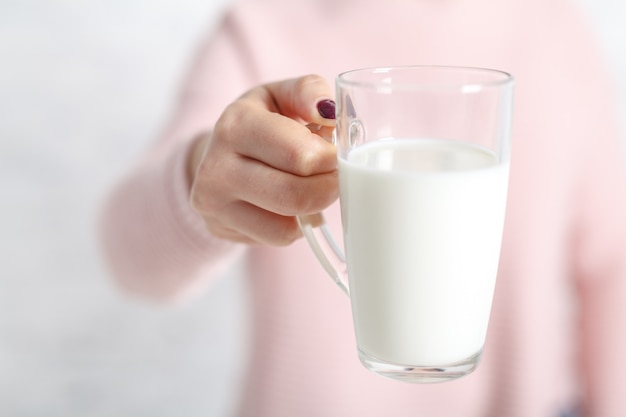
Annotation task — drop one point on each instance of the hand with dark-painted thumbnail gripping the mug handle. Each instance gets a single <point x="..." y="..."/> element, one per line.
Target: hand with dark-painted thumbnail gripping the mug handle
<point x="263" y="164"/>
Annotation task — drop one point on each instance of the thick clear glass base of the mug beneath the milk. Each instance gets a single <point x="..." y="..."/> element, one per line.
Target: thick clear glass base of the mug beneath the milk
<point x="421" y="374"/>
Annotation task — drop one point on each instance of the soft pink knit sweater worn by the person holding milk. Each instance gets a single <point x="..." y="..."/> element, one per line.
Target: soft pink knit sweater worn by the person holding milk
<point x="557" y="338"/>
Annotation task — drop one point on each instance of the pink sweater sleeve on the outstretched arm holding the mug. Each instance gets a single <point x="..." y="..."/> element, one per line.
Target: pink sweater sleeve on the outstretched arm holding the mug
<point x="155" y="244"/>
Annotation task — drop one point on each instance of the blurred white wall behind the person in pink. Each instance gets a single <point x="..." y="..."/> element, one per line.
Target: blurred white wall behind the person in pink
<point x="85" y="85"/>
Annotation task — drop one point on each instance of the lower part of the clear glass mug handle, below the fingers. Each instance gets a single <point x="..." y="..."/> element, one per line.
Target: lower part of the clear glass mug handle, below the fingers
<point x="328" y="253"/>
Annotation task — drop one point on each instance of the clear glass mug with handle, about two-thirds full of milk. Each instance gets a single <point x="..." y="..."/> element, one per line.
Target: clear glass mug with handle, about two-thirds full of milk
<point x="423" y="160"/>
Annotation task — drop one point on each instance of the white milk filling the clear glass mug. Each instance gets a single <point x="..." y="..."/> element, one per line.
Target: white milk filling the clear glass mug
<point x="422" y="225"/>
